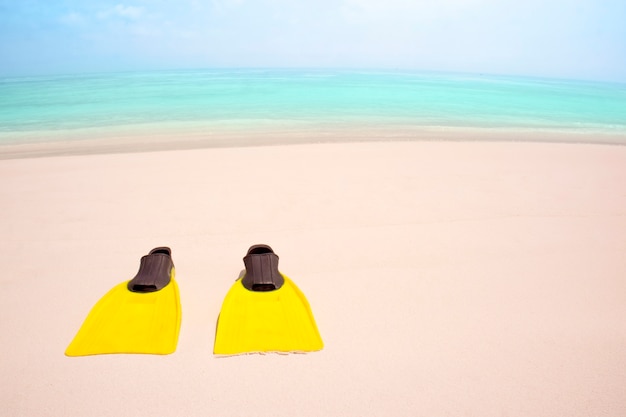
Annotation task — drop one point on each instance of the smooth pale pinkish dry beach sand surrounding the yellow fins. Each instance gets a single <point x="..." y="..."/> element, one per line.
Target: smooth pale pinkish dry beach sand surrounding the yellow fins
<point x="447" y="279"/>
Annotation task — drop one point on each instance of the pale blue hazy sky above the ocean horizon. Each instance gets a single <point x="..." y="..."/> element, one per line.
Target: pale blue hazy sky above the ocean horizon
<point x="554" y="38"/>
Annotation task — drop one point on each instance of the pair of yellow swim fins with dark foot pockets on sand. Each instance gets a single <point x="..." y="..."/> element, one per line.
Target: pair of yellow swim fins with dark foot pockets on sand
<point x="263" y="311"/>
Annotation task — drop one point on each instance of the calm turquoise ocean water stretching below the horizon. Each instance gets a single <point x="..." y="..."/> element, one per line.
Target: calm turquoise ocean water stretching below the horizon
<point x="79" y="107"/>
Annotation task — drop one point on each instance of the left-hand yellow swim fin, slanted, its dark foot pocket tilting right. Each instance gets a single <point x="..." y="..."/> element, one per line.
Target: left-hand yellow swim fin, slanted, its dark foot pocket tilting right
<point x="138" y="316"/>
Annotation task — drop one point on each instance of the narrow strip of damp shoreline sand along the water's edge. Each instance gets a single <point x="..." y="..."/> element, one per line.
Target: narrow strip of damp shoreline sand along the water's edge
<point x="134" y="141"/>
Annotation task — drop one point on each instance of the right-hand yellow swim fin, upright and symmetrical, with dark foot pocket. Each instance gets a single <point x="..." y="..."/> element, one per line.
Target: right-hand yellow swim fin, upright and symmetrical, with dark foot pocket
<point x="264" y="311"/>
